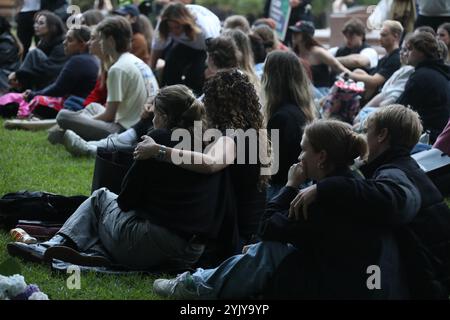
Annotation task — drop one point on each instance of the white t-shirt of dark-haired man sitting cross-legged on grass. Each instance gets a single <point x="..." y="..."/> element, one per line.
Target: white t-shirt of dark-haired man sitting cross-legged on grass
<point x="130" y="82"/>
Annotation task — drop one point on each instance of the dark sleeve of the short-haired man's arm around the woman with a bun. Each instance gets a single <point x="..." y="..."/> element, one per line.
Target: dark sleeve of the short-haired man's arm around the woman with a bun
<point x="390" y="198"/>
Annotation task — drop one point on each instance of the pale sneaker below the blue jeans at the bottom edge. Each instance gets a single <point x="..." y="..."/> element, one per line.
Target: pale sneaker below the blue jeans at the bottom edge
<point x="181" y="287"/>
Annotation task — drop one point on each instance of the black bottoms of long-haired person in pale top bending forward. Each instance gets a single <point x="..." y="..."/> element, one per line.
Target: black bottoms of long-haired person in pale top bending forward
<point x="185" y="65"/>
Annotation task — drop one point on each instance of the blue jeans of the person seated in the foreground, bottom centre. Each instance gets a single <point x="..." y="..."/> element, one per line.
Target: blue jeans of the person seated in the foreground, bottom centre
<point x="243" y="275"/>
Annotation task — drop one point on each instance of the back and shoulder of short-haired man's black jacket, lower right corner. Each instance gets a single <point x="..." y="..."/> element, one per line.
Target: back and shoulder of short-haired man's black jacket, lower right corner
<point x="425" y="242"/>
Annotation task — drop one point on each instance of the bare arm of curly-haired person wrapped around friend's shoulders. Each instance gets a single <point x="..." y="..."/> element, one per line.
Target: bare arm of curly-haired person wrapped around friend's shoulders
<point x="218" y="155"/>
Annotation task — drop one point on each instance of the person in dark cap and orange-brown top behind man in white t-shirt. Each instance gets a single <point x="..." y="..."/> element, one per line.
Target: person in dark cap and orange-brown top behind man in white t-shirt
<point x="139" y="44"/>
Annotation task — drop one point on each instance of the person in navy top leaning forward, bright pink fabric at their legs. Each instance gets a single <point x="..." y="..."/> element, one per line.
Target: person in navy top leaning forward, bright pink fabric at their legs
<point x="76" y="80"/>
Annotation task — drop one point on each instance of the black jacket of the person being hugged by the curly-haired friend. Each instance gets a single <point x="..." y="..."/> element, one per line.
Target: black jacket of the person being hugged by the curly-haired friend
<point x="183" y="201"/>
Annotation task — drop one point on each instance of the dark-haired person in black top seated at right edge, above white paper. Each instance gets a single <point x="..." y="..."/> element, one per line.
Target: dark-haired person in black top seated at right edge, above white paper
<point x="428" y="88"/>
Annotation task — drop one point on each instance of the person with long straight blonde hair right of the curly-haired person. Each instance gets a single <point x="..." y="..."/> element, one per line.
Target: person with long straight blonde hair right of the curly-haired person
<point x="289" y="106"/>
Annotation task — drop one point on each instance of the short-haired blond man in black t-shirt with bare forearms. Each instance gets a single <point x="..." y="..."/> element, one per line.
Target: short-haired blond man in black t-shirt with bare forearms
<point x="390" y="36"/>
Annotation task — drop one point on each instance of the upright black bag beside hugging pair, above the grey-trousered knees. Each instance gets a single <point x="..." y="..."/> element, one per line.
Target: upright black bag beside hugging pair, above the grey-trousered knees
<point x="111" y="166"/>
